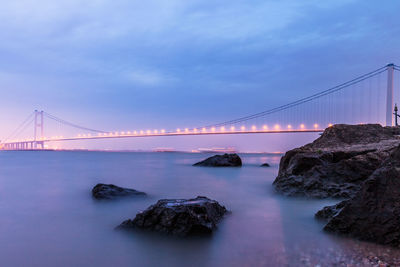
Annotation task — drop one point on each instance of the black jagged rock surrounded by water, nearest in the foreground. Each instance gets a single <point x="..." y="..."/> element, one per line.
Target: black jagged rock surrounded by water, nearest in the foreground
<point x="180" y="217"/>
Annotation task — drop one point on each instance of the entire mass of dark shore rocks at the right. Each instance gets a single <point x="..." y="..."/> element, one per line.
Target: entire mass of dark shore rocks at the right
<point x="360" y="163"/>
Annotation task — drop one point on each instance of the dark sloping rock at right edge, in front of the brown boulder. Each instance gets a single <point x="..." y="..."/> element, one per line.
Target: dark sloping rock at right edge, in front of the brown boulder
<point x="374" y="213"/>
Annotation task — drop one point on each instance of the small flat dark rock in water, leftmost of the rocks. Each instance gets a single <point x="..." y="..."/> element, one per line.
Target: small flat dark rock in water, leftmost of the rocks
<point x="110" y="191"/>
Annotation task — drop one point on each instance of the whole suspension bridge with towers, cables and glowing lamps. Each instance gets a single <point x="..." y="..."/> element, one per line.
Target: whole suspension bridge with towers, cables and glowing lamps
<point x="368" y="98"/>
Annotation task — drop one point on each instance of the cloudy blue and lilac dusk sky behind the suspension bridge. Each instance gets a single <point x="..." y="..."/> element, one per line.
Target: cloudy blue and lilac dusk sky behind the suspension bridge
<point x="127" y="64"/>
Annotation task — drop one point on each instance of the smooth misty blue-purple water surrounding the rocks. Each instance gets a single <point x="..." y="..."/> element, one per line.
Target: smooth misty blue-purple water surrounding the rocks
<point x="49" y="218"/>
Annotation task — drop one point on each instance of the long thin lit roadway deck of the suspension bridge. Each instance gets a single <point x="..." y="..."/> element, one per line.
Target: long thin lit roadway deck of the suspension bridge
<point x="30" y="144"/>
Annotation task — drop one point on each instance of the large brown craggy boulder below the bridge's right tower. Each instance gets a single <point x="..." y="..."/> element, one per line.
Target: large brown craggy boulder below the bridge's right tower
<point x="337" y="163"/>
